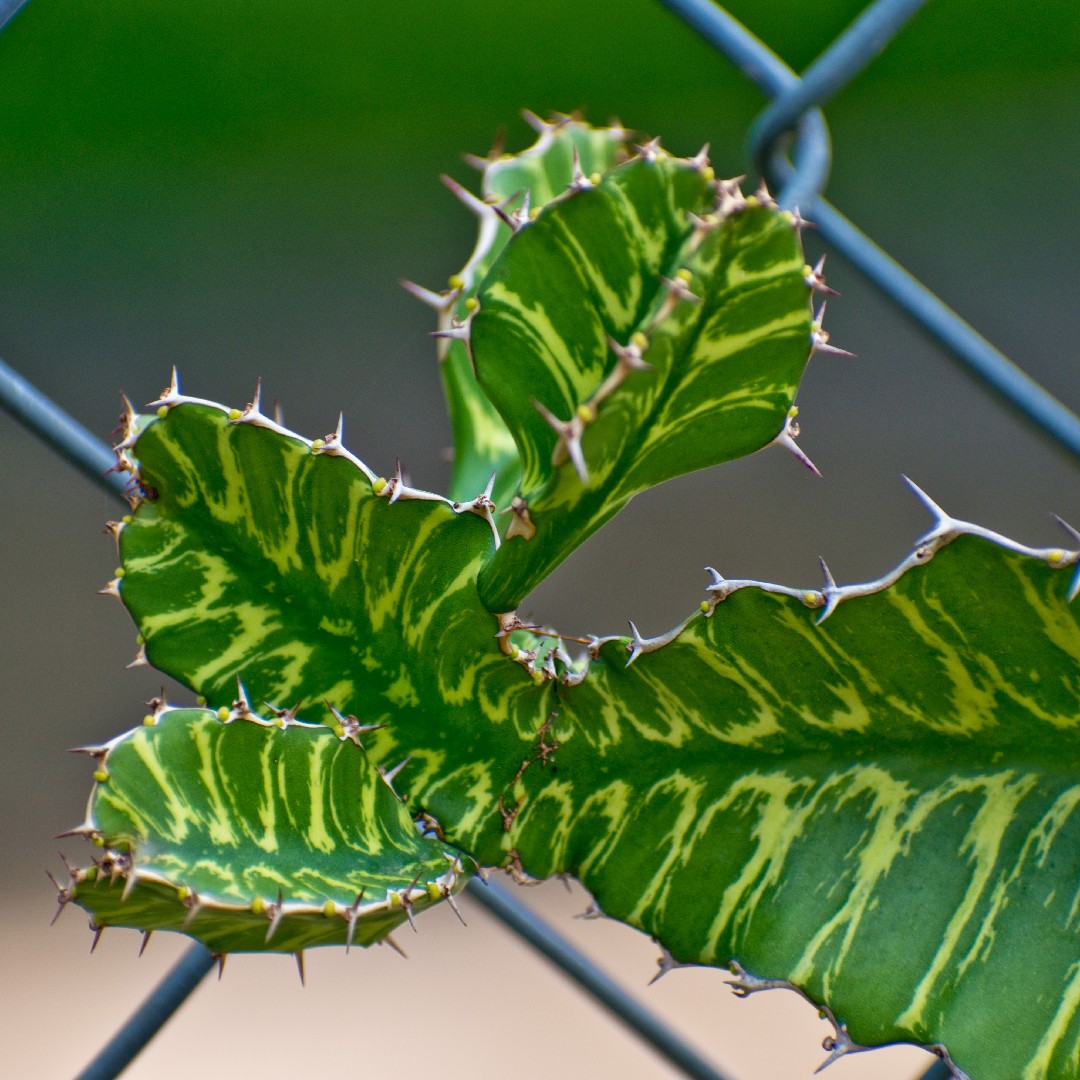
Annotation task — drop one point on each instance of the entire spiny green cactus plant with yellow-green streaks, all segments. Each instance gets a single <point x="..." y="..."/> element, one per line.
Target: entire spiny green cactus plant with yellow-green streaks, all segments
<point x="869" y="793"/>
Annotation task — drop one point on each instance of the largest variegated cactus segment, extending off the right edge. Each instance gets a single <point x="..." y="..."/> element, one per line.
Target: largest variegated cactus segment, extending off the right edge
<point x="883" y="809"/>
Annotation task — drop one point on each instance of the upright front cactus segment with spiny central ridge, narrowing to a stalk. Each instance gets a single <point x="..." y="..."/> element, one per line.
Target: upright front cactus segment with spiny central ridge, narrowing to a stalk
<point x="644" y="326"/>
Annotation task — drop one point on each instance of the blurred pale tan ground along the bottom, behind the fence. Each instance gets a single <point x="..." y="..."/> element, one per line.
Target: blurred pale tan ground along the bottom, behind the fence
<point x="467" y="1003"/>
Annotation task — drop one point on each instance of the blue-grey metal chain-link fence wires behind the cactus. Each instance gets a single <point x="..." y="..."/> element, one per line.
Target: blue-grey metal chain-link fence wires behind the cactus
<point x="792" y="123"/>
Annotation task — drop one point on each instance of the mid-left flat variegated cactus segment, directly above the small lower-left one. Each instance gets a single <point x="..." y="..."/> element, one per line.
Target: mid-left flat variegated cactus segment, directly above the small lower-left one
<point x="263" y="557"/>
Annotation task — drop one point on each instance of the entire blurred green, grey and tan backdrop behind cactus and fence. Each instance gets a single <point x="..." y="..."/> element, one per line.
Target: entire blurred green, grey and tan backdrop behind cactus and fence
<point x="237" y="190"/>
